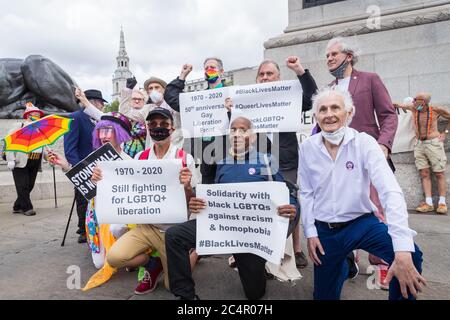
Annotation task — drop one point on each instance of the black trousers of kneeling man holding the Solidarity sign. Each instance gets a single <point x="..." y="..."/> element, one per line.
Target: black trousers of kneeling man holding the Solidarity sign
<point x="182" y="237"/>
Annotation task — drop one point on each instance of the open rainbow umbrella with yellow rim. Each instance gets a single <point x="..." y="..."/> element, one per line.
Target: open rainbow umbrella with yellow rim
<point x="38" y="134"/>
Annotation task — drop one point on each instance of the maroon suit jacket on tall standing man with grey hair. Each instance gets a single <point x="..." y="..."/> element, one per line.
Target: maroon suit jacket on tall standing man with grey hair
<point x="369" y="94"/>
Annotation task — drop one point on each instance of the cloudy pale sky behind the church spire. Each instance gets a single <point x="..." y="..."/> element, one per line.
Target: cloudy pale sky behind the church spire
<point x="82" y="36"/>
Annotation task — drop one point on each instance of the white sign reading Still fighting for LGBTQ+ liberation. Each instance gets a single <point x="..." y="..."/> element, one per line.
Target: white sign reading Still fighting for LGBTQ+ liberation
<point x="141" y="192"/>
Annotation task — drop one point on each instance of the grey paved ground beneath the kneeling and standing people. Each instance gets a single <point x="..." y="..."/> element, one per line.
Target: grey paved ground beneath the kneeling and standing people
<point x="33" y="265"/>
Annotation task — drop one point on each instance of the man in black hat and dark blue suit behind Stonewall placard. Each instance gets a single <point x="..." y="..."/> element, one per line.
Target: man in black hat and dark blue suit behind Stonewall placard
<point x="78" y="145"/>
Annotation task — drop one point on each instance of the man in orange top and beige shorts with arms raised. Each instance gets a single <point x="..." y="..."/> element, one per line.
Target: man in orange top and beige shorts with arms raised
<point x="429" y="150"/>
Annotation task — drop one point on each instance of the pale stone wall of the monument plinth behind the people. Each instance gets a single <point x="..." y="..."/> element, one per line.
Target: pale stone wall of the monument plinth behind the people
<point x="409" y="50"/>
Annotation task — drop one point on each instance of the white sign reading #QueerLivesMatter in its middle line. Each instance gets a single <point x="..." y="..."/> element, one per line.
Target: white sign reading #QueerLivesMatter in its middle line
<point x="272" y="106"/>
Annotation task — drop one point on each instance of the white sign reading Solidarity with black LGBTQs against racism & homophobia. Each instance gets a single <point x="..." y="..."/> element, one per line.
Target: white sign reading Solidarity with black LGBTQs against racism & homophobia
<point x="240" y="218"/>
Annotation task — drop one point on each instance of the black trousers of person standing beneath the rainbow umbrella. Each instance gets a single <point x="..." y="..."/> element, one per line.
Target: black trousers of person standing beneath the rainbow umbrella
<point x="24" y="179"/>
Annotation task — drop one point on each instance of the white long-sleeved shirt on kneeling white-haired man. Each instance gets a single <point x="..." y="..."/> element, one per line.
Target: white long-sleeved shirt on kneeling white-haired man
<point x="339" y="191"/>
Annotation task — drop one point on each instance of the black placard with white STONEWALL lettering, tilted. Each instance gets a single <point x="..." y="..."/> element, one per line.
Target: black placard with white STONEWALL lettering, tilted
<point x="81" y="174"/>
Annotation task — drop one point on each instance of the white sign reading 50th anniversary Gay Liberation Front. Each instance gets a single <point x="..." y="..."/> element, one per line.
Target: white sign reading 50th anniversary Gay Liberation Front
<point x="203" y="113"/>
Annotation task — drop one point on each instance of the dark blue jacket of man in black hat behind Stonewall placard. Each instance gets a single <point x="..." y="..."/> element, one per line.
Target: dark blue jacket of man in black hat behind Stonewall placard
<point x="78" y="141"/>
